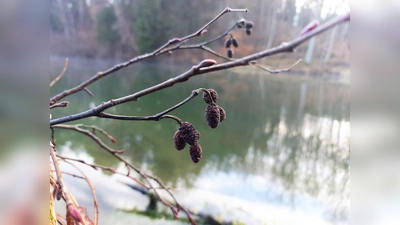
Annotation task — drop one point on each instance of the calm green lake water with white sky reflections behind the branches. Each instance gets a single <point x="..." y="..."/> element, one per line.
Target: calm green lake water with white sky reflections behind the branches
<point x="281" y="156"/>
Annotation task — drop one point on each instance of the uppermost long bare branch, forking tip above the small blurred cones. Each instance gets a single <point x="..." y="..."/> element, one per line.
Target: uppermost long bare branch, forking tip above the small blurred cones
<point x="117" y="67"/>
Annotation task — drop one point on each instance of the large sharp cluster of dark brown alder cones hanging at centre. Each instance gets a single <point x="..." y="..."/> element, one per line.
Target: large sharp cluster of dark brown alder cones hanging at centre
<point x="187" y="133"/>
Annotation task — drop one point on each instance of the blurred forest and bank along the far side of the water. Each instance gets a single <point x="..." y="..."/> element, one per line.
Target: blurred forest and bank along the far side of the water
<point x="122" y="29"/>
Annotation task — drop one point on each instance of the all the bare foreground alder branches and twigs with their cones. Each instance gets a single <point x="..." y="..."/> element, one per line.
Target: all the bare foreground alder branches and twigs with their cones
<point x="186" y="134"/>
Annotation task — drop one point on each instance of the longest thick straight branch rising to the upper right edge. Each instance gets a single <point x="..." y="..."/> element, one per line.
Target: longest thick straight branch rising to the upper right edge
<point x="195" y="70"/>
